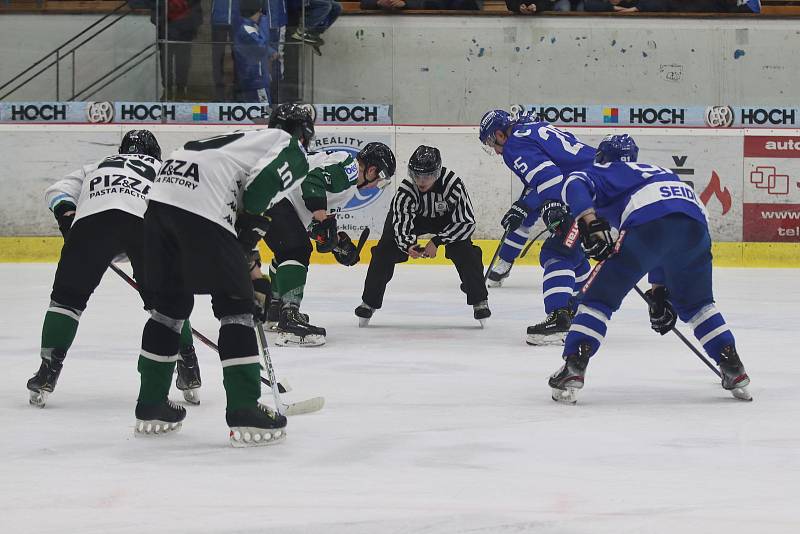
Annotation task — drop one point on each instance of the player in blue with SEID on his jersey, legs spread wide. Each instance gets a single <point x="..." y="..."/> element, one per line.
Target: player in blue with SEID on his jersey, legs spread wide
<point x="663" y="232"/>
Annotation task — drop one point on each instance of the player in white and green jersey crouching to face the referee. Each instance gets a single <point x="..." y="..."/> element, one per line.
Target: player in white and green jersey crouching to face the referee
<point x="332" y="182"/>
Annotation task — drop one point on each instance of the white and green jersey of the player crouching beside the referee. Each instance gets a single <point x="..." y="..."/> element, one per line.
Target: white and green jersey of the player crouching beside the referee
<point x="337" y="173"/>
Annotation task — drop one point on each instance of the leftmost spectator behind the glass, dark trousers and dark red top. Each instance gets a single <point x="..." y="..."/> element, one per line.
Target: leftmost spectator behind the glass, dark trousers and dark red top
<point x="175" y="20"/>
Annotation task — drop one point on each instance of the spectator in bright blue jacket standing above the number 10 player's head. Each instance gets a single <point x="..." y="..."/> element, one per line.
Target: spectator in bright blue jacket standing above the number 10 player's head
<point x="252" y="53"/>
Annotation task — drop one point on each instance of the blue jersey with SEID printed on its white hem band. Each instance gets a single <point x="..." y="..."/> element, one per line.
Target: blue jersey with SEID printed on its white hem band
<point x="630" y="194"/>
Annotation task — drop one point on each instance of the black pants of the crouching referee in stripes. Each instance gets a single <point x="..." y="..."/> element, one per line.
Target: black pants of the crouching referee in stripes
<point x="465" y="255"/>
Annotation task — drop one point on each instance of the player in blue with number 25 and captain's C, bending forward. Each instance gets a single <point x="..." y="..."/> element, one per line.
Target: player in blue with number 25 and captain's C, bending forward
<point x="541" y="156"/>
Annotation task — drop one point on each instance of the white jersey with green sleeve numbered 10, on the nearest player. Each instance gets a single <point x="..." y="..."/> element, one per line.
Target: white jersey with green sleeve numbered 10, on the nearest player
<point x="222" y="175"/>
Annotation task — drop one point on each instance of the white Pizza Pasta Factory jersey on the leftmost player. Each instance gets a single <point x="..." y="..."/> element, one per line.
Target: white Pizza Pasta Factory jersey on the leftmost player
<point x="118" y="182"/>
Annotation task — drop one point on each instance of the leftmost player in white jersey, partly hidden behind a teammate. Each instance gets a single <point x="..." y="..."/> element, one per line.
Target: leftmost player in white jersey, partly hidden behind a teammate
<point x="99" y="210"/>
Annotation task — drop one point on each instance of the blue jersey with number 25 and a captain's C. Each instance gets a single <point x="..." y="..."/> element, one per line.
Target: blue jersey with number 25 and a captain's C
<point x="541" y="156"/>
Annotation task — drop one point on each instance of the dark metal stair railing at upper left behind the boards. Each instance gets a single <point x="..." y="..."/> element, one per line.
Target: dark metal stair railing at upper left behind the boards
<point x="55" y="57"/>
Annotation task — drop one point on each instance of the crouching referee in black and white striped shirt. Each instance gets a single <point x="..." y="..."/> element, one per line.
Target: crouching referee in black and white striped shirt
<point x="432" y="200"/>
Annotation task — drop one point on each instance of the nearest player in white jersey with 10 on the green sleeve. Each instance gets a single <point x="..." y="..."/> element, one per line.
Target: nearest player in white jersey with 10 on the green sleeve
<point x="200" y="226"/>
